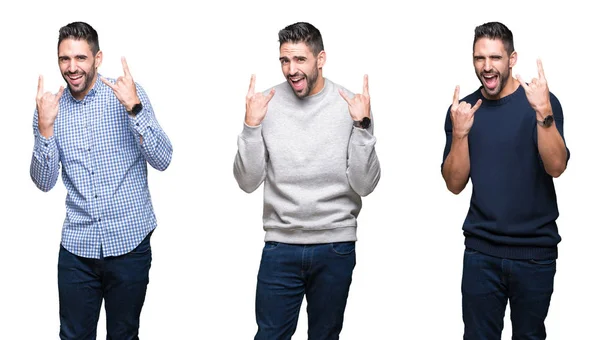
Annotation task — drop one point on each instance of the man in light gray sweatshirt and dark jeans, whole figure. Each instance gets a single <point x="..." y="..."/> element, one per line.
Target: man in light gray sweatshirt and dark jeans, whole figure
<point x="311" y="142"/>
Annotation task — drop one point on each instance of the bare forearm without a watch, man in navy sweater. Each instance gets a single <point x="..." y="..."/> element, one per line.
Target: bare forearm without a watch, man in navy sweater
<point x="457" y="165"/>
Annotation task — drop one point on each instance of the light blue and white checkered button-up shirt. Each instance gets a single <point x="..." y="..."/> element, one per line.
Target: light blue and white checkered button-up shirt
<point x="109" y="209"/>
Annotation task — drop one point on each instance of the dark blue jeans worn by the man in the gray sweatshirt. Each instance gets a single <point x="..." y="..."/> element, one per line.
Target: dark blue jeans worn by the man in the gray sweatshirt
<point x="287" y="272"/>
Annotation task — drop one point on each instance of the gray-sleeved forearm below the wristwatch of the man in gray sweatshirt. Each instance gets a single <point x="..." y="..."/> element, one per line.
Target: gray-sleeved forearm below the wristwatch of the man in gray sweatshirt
<point x="363" y="165"/>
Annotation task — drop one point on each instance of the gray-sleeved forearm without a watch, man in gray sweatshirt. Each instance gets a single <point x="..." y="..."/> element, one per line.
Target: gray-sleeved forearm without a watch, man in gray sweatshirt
<point x="250" y="165"/>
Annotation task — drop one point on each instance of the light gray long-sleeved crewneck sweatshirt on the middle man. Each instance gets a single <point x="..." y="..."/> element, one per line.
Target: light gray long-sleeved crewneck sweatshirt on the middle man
<point x="314" y="163"/>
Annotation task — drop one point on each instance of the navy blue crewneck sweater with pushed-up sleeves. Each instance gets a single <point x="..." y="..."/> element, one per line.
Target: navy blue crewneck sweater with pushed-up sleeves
<point x="513" y="208"/>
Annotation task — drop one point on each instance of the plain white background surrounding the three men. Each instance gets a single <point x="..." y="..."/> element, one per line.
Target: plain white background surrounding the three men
<point x="195" y="63"/>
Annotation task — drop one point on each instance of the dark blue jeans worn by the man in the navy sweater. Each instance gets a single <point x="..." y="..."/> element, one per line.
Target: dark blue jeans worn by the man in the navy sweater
<point x="489" y="282"/>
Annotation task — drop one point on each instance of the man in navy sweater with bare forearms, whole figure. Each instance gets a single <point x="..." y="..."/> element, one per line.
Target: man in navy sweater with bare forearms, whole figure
<point x="507" y="137"/>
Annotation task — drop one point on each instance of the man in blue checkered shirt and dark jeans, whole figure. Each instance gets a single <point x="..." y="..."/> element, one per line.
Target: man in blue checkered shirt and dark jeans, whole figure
<point x="104" y="133"/>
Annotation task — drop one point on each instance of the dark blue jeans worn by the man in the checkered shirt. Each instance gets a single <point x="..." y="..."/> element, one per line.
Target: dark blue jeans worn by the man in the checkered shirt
<point x="121" y="281"/>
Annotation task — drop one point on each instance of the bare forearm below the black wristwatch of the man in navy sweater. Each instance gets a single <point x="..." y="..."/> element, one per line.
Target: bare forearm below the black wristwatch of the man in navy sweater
<point x="552" y="149"/>
